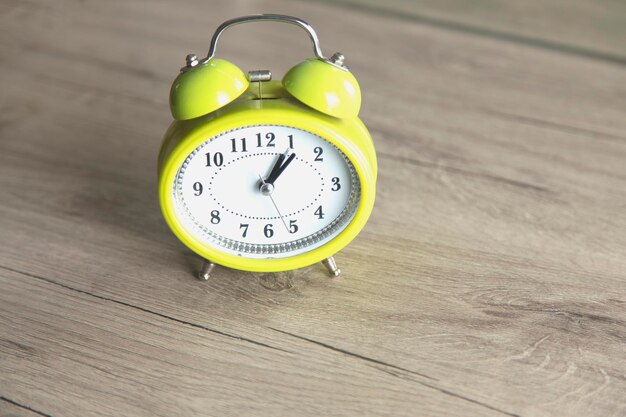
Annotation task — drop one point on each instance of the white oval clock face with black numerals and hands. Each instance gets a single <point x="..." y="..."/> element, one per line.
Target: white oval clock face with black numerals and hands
<point x="266" y="191"/>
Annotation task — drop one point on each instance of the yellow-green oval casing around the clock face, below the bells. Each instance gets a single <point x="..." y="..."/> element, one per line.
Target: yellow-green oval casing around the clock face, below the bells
<point x="276" y="108"/>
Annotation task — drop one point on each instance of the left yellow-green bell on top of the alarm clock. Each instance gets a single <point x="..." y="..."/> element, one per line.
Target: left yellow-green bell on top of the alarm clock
<point x="205" y="86"/>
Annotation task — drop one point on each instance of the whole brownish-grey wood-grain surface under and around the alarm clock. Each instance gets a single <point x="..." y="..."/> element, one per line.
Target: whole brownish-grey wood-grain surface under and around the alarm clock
<point x="490" y="280"/>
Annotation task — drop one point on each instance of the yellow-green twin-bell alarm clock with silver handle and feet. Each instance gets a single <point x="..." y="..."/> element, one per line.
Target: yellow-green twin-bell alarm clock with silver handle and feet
<point x="263" y="175"/>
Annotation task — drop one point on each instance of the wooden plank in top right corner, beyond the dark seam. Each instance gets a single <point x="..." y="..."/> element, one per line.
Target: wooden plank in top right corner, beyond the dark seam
<point x="589" y="28"/>
